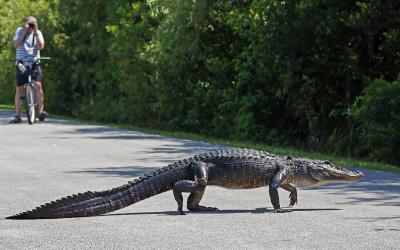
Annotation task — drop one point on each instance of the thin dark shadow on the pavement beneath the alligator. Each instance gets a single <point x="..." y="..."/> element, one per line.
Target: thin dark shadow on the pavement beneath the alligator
<point x="226" y="211"/>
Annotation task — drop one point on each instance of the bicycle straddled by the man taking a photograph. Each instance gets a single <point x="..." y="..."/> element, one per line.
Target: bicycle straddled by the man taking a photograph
<point x="29" y="90"/>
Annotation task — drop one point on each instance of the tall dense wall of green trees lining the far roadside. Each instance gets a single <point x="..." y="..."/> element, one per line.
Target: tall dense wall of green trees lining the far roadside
<point x="279" y="72"/>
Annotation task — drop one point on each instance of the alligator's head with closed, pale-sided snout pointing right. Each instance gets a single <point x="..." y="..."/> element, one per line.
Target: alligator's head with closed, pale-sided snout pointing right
<point x="307" y="173"/>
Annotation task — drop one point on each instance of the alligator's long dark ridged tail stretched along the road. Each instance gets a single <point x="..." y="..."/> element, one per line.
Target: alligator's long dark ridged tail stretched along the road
<point x="96" y="203"/>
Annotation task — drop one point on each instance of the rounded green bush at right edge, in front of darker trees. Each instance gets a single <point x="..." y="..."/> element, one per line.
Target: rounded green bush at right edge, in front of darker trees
<point x="378" y="113"/>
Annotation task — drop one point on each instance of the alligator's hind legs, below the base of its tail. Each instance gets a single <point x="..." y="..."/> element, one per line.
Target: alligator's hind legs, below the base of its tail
<point x="196" y="189"/>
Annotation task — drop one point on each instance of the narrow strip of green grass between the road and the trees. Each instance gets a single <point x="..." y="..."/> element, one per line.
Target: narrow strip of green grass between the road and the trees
<point x="241" y="144"/>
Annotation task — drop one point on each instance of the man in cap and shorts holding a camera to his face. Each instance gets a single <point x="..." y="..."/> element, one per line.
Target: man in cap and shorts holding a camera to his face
<point x="28" y="41"/>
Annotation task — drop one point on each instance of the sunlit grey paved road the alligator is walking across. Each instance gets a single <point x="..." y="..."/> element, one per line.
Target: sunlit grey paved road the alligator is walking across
<point x="50" y="160"/>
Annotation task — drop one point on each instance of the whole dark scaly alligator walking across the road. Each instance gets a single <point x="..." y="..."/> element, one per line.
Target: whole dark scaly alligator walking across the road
<point x="230" y="168"/>
